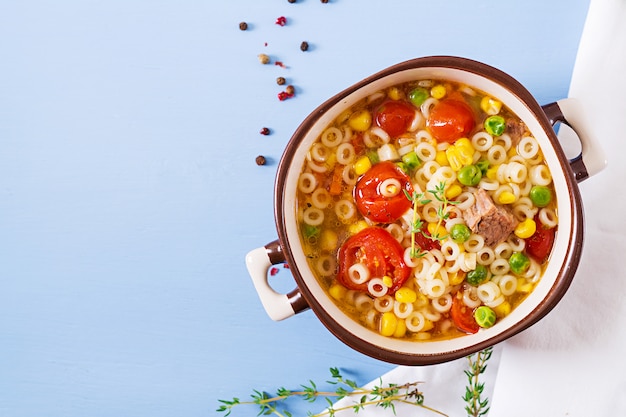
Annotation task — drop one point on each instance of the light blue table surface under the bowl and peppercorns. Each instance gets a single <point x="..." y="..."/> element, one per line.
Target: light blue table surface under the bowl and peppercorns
<point x="129" y="192"/>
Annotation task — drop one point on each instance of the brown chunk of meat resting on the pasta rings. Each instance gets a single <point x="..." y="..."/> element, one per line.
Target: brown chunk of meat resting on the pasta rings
<point x="493" y="222"/>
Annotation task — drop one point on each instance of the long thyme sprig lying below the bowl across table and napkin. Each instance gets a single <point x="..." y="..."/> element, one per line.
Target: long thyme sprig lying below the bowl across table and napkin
<point x="378" y="396"/>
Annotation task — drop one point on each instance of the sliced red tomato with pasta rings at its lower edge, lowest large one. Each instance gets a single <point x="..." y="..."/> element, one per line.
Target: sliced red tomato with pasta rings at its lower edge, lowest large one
<point x="380" y="252"/>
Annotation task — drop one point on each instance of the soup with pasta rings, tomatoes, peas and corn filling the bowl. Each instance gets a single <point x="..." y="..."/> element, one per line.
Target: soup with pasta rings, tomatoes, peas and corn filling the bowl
<point x="426" y="210"/>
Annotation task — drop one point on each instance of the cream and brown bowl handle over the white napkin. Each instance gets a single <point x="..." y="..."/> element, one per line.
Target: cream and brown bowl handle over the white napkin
<point x="592" y="159"/>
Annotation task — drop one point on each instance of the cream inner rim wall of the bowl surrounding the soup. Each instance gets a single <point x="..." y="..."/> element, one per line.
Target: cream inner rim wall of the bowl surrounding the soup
<point x="562" y="195"/>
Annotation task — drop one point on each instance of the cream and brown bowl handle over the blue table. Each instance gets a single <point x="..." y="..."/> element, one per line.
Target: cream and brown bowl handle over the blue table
<point x="277" y="306"/>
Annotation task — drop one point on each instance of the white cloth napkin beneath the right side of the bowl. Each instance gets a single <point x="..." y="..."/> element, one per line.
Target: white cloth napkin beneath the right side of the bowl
<point x="573" y="362"/>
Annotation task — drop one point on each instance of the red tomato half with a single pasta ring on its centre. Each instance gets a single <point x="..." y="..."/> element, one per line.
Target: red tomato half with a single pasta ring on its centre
<point x="376" y="206"/>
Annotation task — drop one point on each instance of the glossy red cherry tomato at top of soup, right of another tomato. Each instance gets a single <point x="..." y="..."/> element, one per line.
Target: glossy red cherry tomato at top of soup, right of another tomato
<point x="450" y="120"/>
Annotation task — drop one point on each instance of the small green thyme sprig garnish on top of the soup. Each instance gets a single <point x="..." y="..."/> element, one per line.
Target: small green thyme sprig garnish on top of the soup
<point x="417" y="224"/>
